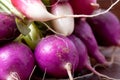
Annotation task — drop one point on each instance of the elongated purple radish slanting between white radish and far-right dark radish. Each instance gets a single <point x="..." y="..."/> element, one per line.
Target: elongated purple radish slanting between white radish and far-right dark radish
<point x="84" y="32"/>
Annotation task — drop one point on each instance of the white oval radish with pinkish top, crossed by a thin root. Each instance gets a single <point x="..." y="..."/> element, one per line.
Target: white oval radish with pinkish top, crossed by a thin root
<point x="64" y="26"/>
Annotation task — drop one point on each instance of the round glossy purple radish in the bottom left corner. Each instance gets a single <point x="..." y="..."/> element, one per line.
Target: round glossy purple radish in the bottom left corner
<point x="16" y="58"/>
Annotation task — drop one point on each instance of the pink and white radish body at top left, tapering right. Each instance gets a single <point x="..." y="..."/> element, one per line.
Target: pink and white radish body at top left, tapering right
<point x="33" y="9"/>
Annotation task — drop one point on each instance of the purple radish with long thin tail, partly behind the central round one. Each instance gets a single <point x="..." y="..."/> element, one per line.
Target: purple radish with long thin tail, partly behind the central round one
<point x="83" y="56"/>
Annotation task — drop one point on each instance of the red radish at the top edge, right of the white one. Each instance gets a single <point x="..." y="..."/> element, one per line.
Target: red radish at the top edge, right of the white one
<point x="83" y="6"/>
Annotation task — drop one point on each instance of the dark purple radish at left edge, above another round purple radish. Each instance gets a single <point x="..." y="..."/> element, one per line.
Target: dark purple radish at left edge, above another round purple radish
<point x="8" y="28"/>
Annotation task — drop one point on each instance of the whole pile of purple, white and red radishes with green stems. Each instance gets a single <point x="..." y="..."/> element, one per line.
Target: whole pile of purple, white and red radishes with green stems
<point x="58" y="39"/>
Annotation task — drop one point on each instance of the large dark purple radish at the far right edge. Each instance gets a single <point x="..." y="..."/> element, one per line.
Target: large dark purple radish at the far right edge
<point x="106" y="29"/>
